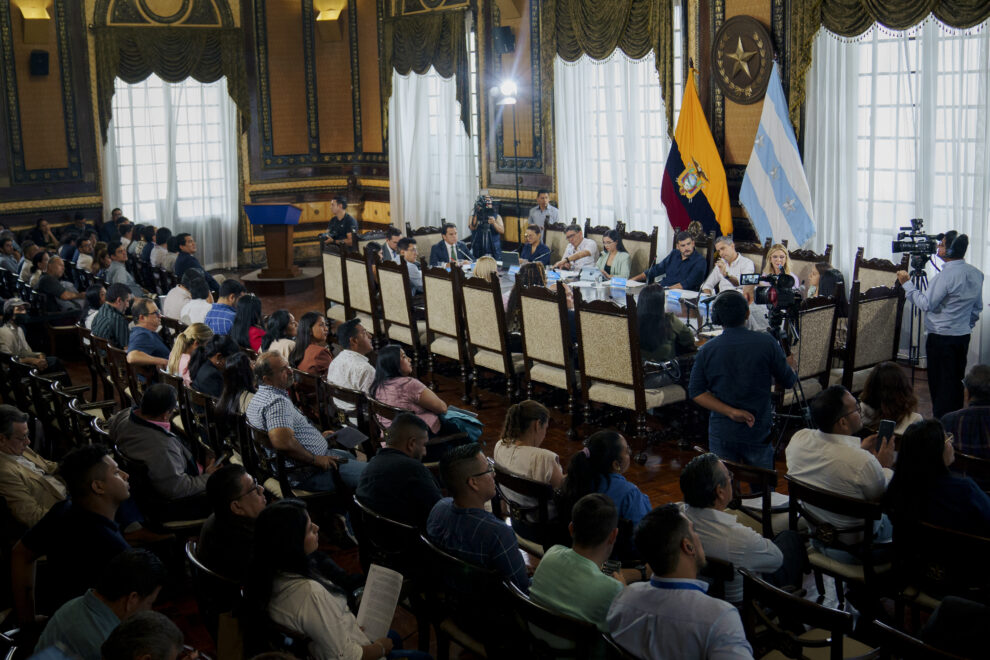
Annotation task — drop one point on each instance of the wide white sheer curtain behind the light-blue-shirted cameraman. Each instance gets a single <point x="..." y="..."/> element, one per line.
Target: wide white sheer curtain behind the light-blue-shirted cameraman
<point x="898" y="127"/>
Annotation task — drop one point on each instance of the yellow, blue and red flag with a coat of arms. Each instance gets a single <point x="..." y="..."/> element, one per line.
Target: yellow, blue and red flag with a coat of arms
<point x="694" y="186"/>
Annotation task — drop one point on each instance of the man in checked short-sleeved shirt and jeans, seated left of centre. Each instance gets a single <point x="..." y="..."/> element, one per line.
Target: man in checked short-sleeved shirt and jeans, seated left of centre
<point x="308" y="456"/>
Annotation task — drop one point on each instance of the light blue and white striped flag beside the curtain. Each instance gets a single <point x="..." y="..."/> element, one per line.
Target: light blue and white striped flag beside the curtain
<point x="775" y="189"/>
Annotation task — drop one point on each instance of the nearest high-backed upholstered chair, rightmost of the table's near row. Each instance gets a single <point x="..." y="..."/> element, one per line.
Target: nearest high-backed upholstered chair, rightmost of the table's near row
<point x="611" y="366"/>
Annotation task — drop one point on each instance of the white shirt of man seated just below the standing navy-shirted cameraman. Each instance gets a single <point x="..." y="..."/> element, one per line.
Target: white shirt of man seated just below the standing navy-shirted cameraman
<point x="724" y="537"/>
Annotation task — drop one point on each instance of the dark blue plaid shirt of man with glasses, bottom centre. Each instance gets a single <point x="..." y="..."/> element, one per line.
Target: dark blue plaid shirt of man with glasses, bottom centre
<point x="479" y="538"/>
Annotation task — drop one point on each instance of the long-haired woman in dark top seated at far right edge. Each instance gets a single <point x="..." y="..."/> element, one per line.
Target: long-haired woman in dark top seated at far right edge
<point x="923" y="490"/>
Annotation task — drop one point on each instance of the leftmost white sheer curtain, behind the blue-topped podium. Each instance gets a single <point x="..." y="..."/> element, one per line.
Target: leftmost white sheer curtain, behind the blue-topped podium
<point x="171" y="160"/>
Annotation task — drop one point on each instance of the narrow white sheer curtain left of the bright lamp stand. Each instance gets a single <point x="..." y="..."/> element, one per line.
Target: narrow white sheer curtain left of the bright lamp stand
<point x="432" y="169"/>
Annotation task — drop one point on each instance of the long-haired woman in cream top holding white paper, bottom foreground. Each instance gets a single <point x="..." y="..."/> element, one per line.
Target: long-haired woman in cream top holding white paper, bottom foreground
<point x="284" y="588"/>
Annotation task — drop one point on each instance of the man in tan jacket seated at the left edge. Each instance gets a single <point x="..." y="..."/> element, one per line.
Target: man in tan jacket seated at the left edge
<point x="27" y="481"/>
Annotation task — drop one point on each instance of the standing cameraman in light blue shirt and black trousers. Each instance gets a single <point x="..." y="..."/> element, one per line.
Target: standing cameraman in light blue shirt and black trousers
<point x="952" y="304"/>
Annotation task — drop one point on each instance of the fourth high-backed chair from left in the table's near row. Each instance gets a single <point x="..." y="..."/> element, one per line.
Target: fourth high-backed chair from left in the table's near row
<point x="445" y="334"/>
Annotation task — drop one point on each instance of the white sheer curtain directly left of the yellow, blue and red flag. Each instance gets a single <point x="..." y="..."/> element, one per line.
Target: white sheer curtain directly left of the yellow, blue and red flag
<point x="611" y="141"/>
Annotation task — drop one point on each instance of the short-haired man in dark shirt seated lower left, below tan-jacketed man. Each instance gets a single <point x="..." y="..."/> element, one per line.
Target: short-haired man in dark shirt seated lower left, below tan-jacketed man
<point x="97" y="487"/>
